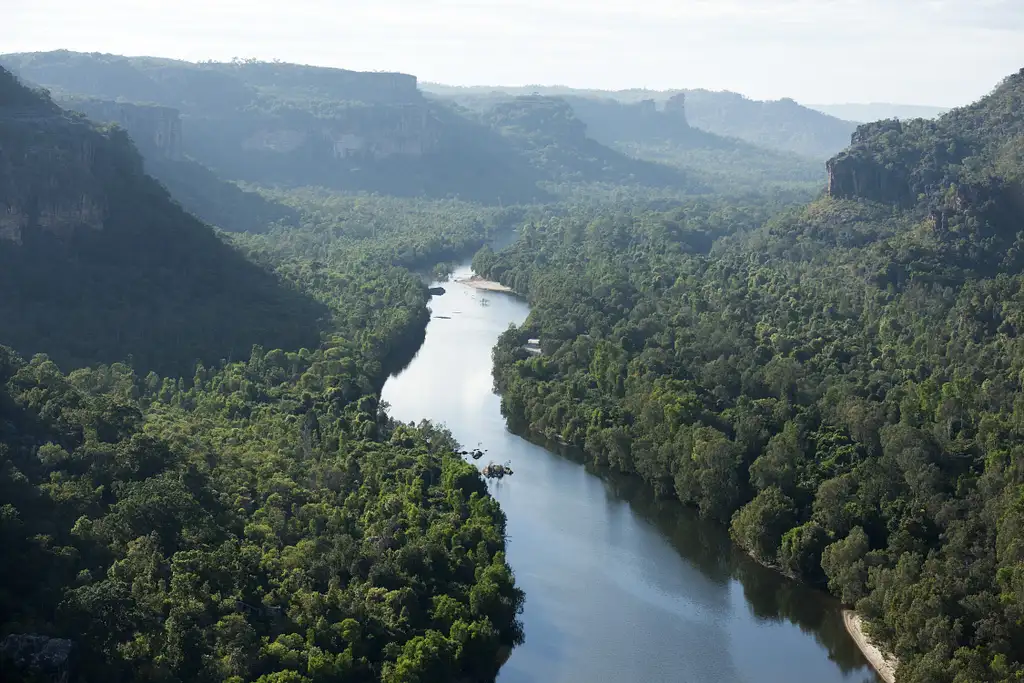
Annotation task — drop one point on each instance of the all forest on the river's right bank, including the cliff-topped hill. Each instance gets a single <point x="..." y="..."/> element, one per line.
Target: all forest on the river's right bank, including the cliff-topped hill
<point x="842" y="383"/>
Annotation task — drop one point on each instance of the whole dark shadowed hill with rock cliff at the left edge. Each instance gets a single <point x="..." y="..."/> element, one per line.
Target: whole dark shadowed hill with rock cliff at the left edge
<point x="99" y="265"/>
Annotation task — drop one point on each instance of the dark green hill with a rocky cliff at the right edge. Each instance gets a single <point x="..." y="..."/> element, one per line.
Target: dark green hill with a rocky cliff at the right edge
<point x="963" y="176"/>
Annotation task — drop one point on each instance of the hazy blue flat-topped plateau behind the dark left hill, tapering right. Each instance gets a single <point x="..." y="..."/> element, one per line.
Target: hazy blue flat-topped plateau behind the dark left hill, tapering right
<point x="289" y="125"/>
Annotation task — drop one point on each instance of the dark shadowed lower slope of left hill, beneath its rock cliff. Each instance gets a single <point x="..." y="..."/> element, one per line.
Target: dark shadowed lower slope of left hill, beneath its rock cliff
<point x="155" y="287"/>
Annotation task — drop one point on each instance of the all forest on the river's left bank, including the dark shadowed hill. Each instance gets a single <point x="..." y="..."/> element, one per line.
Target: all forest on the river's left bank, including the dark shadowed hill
<point x="259" y="519"/>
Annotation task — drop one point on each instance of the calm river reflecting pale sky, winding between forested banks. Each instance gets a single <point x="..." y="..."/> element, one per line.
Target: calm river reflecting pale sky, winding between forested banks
<point x="620" y="588"/>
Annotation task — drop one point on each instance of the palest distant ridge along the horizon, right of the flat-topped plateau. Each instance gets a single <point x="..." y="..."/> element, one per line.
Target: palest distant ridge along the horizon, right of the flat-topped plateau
<point x="783" y="125"/>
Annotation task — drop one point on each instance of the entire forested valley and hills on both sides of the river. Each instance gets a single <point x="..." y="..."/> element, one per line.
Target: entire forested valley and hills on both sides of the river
<point x="198" y="479"/>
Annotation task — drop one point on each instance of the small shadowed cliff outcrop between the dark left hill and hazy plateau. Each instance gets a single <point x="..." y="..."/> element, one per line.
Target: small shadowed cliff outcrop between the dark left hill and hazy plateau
<point x="156" y="131"/>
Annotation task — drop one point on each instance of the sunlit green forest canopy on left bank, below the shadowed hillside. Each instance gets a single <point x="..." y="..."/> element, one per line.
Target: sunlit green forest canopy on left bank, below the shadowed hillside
<point x="254" y="525"/>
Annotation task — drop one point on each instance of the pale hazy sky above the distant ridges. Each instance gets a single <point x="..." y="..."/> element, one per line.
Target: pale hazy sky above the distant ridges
<point x="944" y="53"/>
